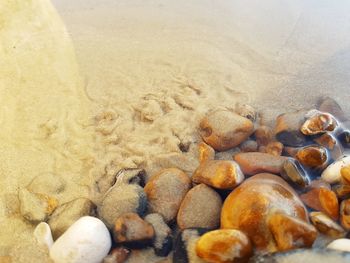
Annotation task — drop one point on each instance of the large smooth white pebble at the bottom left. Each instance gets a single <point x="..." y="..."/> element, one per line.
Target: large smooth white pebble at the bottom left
<point x="86" y="241"/>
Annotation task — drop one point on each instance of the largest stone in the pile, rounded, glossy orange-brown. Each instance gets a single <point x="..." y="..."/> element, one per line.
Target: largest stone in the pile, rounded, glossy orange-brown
<point x="263" y="195"/>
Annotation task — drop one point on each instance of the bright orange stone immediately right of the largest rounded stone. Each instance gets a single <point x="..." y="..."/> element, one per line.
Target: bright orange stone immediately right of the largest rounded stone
<point x="322" y="199"/>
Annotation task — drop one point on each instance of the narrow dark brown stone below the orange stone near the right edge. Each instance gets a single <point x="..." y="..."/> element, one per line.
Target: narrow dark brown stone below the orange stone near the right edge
<point x="326" y="225"/>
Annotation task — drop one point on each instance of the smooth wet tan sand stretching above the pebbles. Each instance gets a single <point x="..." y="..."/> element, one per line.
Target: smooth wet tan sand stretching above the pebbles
<point x="149" y="70"/>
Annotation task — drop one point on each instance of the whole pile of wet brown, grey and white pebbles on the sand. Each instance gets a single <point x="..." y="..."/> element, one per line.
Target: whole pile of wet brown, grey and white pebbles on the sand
<point x="285" y="188"/>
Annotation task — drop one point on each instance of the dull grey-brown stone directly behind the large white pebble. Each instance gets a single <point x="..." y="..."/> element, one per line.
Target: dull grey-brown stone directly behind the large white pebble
<point x="66" y="214"/>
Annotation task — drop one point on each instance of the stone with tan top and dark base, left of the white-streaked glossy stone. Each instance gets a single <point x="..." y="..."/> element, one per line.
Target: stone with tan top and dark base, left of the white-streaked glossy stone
<point x="287" y="129"/>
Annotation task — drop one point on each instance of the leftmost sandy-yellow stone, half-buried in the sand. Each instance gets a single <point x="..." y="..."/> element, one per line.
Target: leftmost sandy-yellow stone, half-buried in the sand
<point x="36" y="207"/>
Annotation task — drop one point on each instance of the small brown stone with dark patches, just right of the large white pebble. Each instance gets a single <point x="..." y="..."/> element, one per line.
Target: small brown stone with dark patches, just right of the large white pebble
<point x="132" y="229"/>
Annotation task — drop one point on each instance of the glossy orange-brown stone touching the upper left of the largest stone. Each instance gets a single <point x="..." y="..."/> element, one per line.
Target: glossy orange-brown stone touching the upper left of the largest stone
<point x="221" y="174"/>
